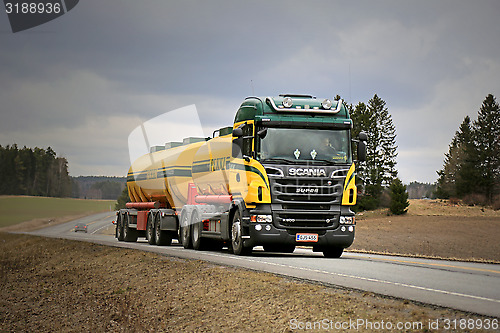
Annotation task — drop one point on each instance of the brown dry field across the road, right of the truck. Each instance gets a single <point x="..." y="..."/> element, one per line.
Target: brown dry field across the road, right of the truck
<point x="432" y="229"/>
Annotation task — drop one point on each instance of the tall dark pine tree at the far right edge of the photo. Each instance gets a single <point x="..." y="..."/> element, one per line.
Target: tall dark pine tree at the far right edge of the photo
<point x="487" y="135"/>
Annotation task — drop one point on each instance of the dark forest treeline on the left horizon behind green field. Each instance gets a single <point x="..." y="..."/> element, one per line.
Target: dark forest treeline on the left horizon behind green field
<point x="40" y="172"/>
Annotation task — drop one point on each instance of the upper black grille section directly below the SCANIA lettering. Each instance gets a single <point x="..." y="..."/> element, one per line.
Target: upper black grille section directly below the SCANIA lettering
<point x="316" y="191"/>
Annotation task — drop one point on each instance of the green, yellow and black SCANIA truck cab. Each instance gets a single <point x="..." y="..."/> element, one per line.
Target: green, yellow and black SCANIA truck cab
<point x="305" y="147"/>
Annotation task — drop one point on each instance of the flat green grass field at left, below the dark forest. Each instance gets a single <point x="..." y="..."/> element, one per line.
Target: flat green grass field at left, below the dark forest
<point x="16" y="209"/>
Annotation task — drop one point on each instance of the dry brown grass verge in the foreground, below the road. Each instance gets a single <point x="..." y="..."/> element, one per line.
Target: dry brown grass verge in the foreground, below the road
<point x="49" y="285"/>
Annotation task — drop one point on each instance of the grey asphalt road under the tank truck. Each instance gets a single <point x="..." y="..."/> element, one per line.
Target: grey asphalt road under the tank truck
<point x="472" y="287"/>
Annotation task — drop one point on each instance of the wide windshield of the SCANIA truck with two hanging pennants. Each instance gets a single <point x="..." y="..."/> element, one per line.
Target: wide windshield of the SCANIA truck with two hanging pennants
<point x="297" y="144"/>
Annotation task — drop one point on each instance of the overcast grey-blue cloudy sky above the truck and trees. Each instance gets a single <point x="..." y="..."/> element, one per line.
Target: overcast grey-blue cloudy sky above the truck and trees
<point x="82" y="82"/>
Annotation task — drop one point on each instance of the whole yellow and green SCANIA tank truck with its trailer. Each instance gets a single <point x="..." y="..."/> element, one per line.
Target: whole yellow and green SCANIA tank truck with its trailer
<point x="283" y="175"/>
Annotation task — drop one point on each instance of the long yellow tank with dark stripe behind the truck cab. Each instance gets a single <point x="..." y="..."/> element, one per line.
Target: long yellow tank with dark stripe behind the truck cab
<point x="165" y="175"/>
